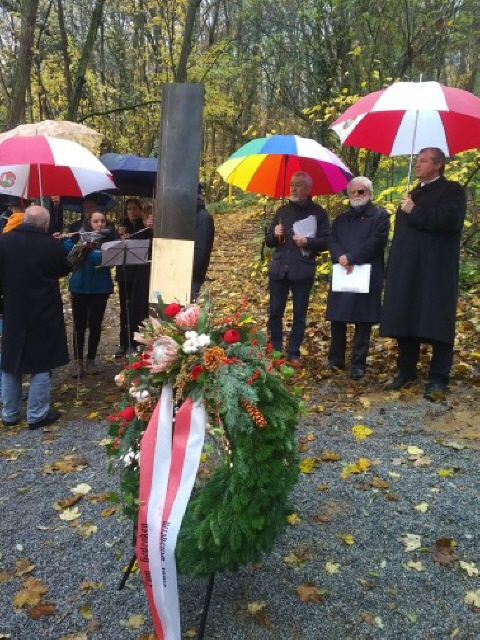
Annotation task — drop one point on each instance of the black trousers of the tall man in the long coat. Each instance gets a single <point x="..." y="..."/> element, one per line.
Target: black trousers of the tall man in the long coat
<point x="440" y="364"/>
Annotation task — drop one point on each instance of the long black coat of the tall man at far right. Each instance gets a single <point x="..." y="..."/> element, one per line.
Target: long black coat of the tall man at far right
<point x="422" y="273"/>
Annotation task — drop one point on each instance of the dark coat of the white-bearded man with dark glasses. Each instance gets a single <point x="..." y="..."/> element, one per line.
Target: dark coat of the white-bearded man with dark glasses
<point x="362" y="235"/>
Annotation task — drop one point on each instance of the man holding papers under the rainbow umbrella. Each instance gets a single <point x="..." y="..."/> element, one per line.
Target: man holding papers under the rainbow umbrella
<point x="299" y="231"/>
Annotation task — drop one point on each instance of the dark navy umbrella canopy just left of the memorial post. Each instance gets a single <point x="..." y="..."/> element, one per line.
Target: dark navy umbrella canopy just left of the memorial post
<point x="133" y="175"/>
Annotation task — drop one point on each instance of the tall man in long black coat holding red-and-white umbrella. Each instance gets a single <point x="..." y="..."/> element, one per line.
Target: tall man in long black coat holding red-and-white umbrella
<point x="422" y="275"/>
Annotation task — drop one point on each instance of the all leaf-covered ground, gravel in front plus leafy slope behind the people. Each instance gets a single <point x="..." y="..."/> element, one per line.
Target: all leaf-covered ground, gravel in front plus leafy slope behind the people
<point x="381" y="540"/>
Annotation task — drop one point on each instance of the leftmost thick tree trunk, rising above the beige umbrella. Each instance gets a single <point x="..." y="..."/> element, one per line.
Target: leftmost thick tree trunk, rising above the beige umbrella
<point x="21" y="74"/>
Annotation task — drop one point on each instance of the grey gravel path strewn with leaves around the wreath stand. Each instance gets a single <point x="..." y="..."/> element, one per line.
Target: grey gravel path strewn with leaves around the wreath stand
<point x="366" y="591"/>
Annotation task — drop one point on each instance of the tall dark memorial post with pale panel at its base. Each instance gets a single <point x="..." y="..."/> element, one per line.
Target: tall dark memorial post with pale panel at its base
<point x="180" y="145"/>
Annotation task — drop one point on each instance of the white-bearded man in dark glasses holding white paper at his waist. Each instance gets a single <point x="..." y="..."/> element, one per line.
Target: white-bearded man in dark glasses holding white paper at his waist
<point x="358" y="237"/>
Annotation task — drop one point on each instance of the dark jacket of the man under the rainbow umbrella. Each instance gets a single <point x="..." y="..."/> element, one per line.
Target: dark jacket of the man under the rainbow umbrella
<point x="298" y="264"/>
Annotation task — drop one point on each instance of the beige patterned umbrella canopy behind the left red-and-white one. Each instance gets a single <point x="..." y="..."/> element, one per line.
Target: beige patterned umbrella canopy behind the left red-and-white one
<point x="87" y="137"/>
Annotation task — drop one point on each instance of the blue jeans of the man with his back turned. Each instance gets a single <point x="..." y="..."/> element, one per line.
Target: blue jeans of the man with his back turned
<point x="38" y="403"/>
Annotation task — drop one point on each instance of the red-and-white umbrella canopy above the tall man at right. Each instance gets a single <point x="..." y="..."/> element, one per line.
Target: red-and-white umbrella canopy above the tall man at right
<point x="409" y="116"/>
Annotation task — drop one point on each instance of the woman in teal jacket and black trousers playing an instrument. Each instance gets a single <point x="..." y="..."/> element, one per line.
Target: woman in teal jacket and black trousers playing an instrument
<point x="90" y="286"/>
